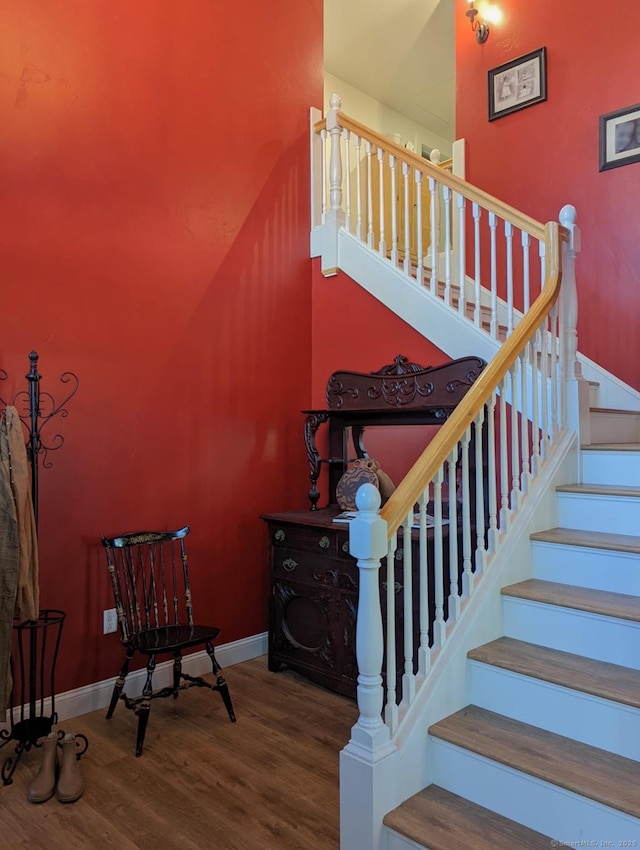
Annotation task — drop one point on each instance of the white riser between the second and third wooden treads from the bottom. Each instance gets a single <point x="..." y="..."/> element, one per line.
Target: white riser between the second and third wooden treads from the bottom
<point x="592" y="720"/>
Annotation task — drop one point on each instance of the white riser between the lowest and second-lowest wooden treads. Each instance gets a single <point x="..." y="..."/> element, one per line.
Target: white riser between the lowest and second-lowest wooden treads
<point x="525" y="799"/>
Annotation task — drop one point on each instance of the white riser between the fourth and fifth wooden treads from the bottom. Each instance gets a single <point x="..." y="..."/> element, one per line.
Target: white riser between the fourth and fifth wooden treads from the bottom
<point x="600" y="569"/>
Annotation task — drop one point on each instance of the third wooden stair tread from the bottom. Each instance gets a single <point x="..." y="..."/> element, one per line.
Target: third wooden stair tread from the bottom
<point x="598" y="678"/>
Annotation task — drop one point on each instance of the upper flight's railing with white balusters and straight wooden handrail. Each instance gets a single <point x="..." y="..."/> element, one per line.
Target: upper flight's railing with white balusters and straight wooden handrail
<point x="483" y="258"/>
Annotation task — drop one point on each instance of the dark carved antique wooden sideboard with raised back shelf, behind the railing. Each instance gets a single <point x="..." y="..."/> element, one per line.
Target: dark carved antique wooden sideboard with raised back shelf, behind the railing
<point x="313" y="578"/>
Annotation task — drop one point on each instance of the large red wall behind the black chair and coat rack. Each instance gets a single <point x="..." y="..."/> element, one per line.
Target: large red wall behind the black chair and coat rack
<point x="154" y="240"/>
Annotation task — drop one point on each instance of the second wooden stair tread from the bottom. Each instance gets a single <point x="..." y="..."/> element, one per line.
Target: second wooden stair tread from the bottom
<point x="597" y="774"/>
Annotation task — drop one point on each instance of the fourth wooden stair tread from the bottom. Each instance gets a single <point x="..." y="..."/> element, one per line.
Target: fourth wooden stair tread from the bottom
<point x="620" y="605"/>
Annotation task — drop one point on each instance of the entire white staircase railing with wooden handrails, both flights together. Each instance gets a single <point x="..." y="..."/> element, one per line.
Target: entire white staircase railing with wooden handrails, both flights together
<point x="444" y="525"/>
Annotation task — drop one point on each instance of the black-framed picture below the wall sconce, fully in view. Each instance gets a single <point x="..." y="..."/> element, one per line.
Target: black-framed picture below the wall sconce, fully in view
<point x="518" y="84"/>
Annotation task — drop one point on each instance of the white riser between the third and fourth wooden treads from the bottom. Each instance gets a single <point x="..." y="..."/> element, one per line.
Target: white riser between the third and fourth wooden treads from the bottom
<point x="580" y="632"/>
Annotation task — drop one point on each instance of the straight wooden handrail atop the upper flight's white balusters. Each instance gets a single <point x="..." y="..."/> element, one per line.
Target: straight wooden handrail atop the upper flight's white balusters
<point x="457" y="184"/>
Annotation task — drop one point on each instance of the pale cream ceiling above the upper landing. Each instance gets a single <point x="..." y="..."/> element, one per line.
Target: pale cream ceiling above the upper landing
<point x="400" y="52"/>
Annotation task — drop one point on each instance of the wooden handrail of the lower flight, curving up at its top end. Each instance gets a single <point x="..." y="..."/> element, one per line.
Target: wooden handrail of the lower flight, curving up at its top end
<point x="401" y="502"/>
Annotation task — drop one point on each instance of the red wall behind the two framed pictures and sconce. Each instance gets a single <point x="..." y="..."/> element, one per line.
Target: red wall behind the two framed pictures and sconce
<point x="546" y="156"/>
